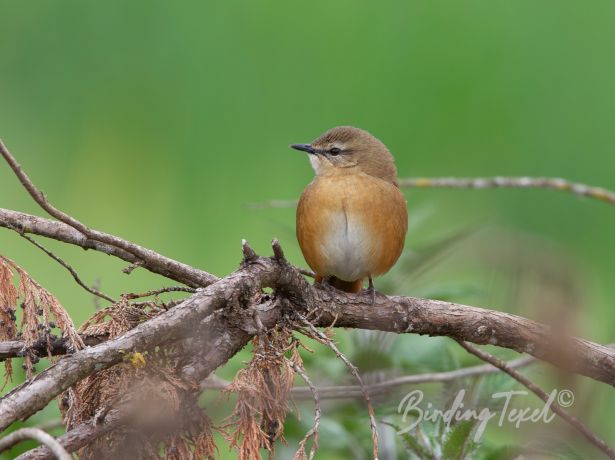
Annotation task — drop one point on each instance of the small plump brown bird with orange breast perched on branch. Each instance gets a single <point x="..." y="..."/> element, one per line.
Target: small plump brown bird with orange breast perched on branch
<point x="352" y="218"/>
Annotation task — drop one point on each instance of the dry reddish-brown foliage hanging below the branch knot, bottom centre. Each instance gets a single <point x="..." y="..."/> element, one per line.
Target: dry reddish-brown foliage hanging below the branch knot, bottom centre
<point x="263" y="392"/>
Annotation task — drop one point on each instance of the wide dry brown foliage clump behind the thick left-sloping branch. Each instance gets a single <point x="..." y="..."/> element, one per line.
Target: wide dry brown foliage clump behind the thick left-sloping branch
<point x="163" y="407"/>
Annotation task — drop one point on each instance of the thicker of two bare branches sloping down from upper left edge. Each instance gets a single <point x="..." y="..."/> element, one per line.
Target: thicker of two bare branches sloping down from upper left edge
<point x="148" y="259"/>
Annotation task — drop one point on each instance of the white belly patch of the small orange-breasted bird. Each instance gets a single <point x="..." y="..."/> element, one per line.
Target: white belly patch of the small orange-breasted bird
<point x="348" y="247"/>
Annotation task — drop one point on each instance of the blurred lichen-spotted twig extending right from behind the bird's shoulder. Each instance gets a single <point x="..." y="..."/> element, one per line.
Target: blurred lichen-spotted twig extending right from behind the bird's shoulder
<point x="552" y="183"/>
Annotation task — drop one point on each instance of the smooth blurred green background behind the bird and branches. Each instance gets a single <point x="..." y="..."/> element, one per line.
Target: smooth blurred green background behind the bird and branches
<point x="163" y="121"/>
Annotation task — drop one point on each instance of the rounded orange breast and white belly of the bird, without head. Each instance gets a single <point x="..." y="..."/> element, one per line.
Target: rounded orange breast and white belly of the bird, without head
<point x="351" y="227"/>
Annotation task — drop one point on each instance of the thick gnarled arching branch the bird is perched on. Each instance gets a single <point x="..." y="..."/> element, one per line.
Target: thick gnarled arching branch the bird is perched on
<point x="230" y="330"/>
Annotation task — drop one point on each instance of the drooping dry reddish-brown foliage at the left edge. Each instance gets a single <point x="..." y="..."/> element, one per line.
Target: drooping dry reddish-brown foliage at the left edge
<point x="41" y="313"/>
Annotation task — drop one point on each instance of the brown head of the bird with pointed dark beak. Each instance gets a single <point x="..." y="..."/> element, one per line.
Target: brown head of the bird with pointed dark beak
<point x="347" y="150"/>
